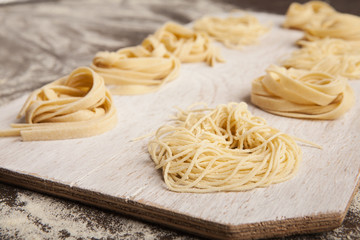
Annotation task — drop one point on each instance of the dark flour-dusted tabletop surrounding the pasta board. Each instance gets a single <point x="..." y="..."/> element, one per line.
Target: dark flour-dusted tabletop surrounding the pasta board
<point x="41" y="41"/>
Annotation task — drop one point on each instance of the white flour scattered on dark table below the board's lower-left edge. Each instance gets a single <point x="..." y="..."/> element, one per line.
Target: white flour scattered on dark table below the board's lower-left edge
<point x="35" y="216"/>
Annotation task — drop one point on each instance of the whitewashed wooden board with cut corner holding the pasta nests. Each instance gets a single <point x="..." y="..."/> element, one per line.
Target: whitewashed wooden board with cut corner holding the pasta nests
<point x="114" y="172"/>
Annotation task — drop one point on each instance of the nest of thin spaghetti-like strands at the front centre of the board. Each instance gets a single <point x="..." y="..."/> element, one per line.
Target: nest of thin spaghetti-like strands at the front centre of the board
<point x="222" y="149"/>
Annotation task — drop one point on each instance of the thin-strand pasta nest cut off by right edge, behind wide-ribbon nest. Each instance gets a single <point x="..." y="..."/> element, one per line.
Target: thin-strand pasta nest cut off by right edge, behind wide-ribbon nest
<point x="336" y="56"/>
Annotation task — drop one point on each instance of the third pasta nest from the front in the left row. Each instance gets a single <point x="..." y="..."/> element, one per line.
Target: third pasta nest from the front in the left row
<point x="185" y="44"/>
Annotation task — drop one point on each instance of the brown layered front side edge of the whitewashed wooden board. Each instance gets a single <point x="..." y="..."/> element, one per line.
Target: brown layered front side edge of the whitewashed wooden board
<point x="275" y="228"/>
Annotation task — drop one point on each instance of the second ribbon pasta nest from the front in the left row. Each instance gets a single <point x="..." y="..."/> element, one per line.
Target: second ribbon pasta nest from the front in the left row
<point x="137" y="70"/>
